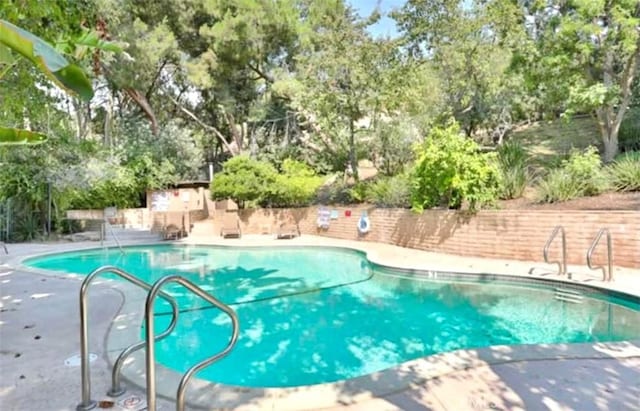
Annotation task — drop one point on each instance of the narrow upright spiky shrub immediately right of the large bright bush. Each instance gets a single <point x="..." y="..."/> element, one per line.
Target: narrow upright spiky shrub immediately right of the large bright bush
<point x="514" y="171"/>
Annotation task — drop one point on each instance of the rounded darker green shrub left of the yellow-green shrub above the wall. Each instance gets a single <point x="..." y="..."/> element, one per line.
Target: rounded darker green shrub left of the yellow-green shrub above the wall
<point x="244" y="180"/>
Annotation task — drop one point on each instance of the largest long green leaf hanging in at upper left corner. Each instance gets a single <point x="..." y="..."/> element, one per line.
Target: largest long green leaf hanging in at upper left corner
<point x="66" y="75"/>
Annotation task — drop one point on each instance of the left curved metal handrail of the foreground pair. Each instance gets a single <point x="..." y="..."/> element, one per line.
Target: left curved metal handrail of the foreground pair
<point x="87" y="403"/>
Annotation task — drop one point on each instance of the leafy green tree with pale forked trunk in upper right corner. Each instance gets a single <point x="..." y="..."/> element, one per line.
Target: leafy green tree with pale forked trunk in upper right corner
<point x="587" y="54"/>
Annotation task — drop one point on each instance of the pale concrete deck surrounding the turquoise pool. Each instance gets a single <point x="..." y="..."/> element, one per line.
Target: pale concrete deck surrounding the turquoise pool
<point x="39" y="330"/>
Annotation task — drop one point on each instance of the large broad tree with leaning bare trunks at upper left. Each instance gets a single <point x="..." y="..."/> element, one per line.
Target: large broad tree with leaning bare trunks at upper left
<point x="214" y="61"/>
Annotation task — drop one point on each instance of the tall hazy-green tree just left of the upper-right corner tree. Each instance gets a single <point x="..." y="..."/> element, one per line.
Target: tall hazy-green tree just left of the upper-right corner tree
<point x="469" y="43"/>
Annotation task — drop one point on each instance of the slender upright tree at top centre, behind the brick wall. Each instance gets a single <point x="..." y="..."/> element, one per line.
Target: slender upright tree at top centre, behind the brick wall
<point x="337" y="80"/>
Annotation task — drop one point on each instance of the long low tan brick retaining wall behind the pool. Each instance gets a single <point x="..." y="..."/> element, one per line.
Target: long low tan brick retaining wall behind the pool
<point x="509" y="234"/>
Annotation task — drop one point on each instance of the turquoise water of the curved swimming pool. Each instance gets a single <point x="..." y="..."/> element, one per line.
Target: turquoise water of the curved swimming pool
<point x="315" y="315"/>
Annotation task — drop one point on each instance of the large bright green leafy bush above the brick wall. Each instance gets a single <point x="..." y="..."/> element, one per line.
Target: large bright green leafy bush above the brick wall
<point x="451" y="171"/>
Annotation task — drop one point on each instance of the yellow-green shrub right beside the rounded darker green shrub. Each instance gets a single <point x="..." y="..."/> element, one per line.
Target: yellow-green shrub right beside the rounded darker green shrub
<point x="295" y="187"/>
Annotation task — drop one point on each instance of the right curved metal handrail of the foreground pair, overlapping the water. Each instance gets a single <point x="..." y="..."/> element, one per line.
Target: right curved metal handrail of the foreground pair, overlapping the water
<point x="150" y="354"/>
